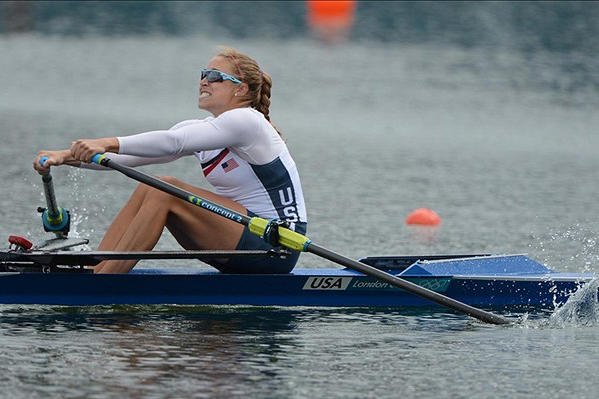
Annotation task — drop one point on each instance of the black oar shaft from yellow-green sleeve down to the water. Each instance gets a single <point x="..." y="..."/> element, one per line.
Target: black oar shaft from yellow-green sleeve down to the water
<point x="406" y="285"/>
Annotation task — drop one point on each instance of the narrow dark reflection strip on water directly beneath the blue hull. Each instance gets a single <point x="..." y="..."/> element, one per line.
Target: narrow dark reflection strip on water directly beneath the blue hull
<point x="206" y="320"/>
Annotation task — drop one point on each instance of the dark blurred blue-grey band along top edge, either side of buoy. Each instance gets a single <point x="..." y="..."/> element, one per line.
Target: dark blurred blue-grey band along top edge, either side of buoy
<point x="555" y="26"/>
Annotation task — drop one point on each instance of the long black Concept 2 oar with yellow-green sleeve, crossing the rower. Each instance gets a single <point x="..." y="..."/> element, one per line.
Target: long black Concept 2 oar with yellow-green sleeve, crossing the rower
<point x="298" y="242"/>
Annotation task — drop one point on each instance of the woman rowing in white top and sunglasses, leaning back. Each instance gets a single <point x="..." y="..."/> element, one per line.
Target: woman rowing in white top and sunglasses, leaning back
<point x="241" y="154"/>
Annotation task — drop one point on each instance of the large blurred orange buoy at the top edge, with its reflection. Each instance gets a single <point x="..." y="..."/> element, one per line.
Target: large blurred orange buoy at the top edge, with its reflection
<point x="331" y="20"/>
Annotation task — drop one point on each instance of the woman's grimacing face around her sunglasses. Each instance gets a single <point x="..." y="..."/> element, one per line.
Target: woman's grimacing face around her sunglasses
<point x="218" y="97"/>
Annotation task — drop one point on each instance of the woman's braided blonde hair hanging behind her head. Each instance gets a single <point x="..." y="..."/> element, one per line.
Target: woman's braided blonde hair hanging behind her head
<point x="249" y="72"/>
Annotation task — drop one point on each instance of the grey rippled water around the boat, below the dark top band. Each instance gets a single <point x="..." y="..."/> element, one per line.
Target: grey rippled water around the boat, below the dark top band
<point x="501" y="143"/>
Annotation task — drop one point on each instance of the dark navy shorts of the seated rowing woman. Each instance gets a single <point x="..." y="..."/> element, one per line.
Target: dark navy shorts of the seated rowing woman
<point x="259" y="264"/>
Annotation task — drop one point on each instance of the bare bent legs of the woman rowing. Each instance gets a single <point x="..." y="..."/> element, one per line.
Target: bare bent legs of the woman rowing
<point x="141" y="222"/>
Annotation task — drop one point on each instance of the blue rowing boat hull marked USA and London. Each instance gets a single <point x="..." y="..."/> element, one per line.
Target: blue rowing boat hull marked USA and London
<point x="490" y="284"/>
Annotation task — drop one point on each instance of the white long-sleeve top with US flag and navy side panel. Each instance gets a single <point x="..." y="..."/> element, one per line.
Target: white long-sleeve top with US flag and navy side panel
<point x="241" y="155"/>
